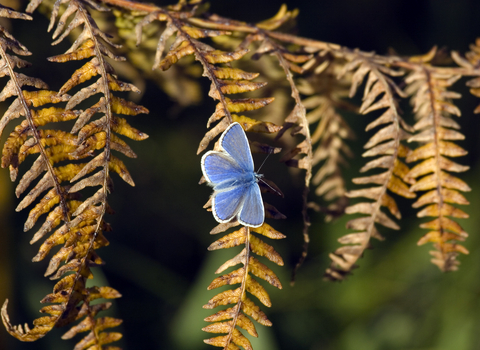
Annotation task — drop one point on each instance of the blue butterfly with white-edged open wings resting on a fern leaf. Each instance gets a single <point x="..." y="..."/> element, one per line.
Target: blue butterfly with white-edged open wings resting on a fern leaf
<point x="235" y="184"/>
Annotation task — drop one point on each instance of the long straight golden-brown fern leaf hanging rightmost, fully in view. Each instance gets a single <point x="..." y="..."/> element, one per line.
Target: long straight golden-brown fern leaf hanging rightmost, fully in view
<point x="435" y="132"/>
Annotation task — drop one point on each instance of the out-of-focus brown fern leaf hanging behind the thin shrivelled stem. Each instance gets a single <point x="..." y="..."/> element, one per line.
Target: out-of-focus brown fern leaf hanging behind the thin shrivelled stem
<point x="330" y="131"/>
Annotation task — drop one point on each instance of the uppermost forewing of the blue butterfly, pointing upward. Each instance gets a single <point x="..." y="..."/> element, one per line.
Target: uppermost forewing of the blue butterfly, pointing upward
<point x="235" y="143"/>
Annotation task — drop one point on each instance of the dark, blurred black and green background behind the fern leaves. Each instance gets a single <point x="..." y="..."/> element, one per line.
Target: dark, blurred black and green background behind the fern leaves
<point x="158" y="260"/>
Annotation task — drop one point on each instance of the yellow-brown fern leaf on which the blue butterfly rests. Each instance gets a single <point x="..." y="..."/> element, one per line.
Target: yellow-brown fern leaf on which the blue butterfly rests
<point x="227" y="80"/>
